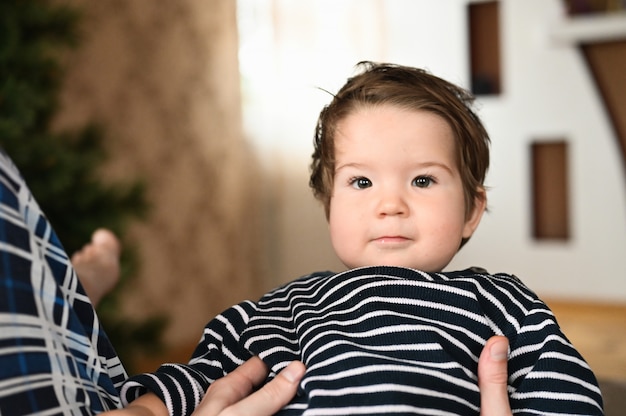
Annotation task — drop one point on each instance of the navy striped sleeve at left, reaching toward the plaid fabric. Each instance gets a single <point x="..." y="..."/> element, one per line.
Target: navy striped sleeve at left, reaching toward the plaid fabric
<point x="181" y="387"/>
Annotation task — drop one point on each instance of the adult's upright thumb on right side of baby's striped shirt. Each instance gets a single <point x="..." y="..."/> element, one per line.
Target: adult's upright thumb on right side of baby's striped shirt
<point x="492" y="378"/>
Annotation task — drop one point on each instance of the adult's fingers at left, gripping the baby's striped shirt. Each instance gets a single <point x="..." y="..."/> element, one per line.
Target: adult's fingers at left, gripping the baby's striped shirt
<point x="232" y="395"/>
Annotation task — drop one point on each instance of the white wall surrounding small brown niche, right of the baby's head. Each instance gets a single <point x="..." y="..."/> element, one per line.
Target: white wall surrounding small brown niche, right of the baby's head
<point x="549" y="93"/>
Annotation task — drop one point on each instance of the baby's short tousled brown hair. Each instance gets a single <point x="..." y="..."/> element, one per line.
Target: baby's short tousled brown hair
<point x="412" y="89"/>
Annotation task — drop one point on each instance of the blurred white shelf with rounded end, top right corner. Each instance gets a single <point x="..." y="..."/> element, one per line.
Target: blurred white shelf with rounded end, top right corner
<point x="591" y="28"/>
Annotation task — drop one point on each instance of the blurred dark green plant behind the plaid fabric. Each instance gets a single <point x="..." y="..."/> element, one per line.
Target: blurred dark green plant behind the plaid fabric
<point x="62" y="168"/>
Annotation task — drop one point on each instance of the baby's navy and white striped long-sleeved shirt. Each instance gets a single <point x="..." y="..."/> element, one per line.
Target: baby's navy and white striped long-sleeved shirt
<point x="388" y="340"/>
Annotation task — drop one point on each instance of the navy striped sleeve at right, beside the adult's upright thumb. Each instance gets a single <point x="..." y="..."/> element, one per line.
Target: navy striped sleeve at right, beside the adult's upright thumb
<point x="547" y="375"/>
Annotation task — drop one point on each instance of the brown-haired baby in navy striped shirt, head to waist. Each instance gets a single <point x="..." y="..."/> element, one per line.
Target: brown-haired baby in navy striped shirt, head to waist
<point x="399" y="164"/>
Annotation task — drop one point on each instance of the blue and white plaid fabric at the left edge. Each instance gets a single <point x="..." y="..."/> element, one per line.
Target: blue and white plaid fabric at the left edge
<point x="54" y="356"/>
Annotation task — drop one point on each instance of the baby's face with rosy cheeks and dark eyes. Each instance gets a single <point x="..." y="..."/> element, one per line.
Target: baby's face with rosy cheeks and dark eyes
<point x="397" y="196"/>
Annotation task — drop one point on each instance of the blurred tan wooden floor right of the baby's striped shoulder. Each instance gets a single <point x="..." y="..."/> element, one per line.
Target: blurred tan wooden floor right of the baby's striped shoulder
<point x="598" y="331"/>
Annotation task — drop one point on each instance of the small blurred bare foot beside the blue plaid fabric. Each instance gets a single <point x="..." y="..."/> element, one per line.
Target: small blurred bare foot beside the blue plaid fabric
<point x="97" y="264"/>
